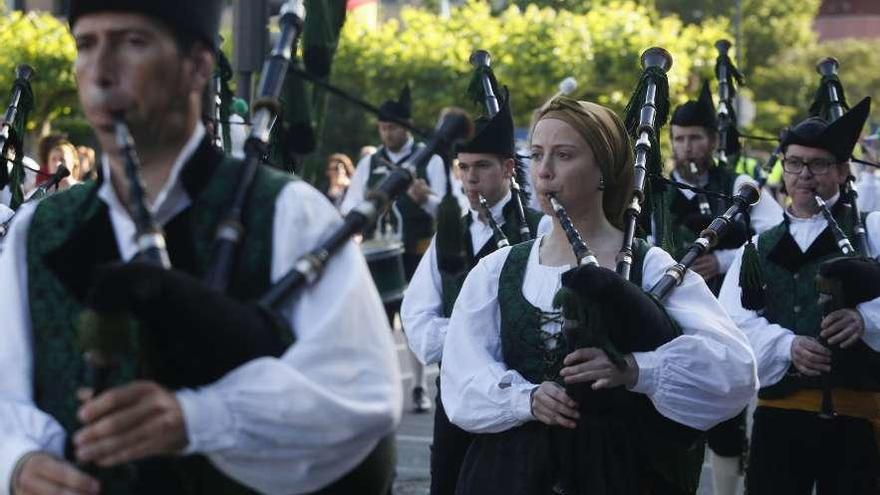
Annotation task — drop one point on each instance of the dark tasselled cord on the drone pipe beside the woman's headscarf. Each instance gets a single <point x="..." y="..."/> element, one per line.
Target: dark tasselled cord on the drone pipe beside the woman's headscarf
<point x="655" y="188"/>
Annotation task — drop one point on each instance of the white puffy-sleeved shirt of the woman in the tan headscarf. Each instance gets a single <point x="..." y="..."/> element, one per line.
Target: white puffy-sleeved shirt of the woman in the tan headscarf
<point x="699" y="379"/>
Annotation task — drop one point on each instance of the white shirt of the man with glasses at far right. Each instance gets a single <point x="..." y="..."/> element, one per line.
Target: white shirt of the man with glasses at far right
<point x="772" y="342"/>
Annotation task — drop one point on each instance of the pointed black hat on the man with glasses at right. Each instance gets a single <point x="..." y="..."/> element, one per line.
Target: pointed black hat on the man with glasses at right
<point x="838" y="137"/>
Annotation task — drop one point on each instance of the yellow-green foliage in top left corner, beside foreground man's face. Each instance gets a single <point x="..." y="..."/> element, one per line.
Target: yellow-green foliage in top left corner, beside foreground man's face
<point x="44" y="43"/>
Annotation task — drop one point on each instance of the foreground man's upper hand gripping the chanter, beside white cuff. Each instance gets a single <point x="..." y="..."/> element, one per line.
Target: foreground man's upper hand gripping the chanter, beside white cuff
<point x="128" y="423"/>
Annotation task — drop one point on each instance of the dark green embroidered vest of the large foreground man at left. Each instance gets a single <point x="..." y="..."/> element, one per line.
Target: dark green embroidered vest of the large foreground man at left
<point x="71" y="234"/>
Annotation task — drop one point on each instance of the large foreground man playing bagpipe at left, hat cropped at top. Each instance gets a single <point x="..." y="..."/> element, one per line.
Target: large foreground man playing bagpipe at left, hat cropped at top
<point x="217" y="395"/>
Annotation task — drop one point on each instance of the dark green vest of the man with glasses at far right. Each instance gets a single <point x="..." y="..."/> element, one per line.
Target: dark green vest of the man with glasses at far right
<point x="792" y="301"/>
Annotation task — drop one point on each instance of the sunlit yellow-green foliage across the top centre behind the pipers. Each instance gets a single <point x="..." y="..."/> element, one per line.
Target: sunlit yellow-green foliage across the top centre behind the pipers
<point x="532" y="50"/>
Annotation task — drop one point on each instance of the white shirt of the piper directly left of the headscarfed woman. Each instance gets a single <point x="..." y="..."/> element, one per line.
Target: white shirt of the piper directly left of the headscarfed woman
<point x="422" y="309"/>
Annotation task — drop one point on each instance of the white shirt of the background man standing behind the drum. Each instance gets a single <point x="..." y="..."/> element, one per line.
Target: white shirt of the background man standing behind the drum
<point x="435" y="171"/>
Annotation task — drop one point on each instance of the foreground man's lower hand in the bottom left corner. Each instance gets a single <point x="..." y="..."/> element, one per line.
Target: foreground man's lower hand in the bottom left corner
<point x="39" y="473"/>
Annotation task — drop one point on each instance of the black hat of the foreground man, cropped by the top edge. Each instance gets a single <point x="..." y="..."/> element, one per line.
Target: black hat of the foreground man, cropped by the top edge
<point x="198" y="17"/>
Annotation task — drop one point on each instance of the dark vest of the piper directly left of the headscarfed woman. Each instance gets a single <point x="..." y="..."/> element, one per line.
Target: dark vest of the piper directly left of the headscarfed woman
<point x="452" y="282"/>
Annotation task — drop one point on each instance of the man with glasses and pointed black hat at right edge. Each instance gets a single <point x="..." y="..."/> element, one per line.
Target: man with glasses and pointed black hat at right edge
<point x="817" y="359"/>
